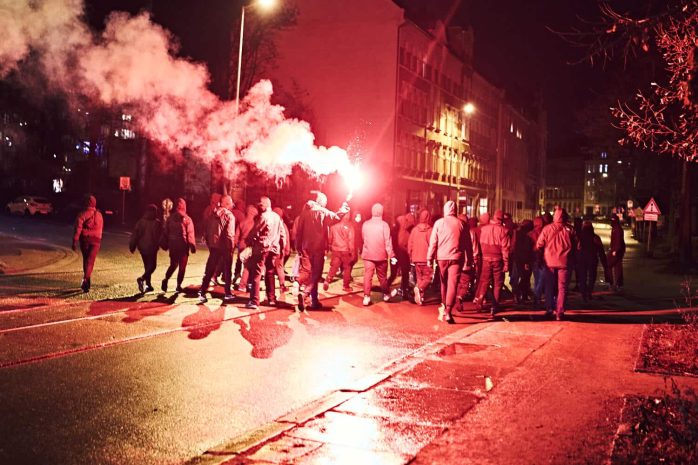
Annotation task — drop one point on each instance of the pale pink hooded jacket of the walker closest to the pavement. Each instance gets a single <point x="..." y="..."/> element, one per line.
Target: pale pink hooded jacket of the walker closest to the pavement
<point x="450" y="238"/>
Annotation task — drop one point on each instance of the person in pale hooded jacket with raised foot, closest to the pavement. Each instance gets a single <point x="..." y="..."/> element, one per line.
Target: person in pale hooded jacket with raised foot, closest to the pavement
<point x="451" y="245"/>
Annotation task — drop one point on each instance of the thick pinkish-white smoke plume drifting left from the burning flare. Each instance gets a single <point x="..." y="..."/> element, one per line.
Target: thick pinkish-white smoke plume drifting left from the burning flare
<point x="133" y="64"/>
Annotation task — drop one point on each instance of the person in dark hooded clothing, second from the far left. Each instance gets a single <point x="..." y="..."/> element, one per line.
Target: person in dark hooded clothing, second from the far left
<point x="146" y="238"/>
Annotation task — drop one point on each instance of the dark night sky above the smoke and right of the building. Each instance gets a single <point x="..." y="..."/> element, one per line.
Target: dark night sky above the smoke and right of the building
<point x="513" y="47"/>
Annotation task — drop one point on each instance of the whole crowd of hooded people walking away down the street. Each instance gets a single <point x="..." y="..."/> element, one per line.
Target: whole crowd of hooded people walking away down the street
<point x="465" y="258"/>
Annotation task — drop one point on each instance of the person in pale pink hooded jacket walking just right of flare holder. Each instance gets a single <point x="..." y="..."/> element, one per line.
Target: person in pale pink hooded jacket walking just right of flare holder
<point x="376" y="251"/>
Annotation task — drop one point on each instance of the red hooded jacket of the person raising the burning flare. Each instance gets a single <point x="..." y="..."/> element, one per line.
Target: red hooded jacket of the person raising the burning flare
<point x="313" y="227"/>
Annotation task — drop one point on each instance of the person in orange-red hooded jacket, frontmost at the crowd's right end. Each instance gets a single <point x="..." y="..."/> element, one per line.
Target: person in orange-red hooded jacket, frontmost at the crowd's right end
<point x="558" y="242"/>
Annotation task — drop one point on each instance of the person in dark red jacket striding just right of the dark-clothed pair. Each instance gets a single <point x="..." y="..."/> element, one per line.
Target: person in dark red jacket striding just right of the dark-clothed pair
<point x="220" y="237"/>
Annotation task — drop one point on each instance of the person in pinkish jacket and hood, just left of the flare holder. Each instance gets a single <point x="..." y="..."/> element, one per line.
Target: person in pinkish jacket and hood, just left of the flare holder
<point x="266" y="239"/>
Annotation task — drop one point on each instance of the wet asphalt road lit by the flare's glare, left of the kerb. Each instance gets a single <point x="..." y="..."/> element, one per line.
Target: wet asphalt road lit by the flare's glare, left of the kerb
<point x="111" y="377"/>
